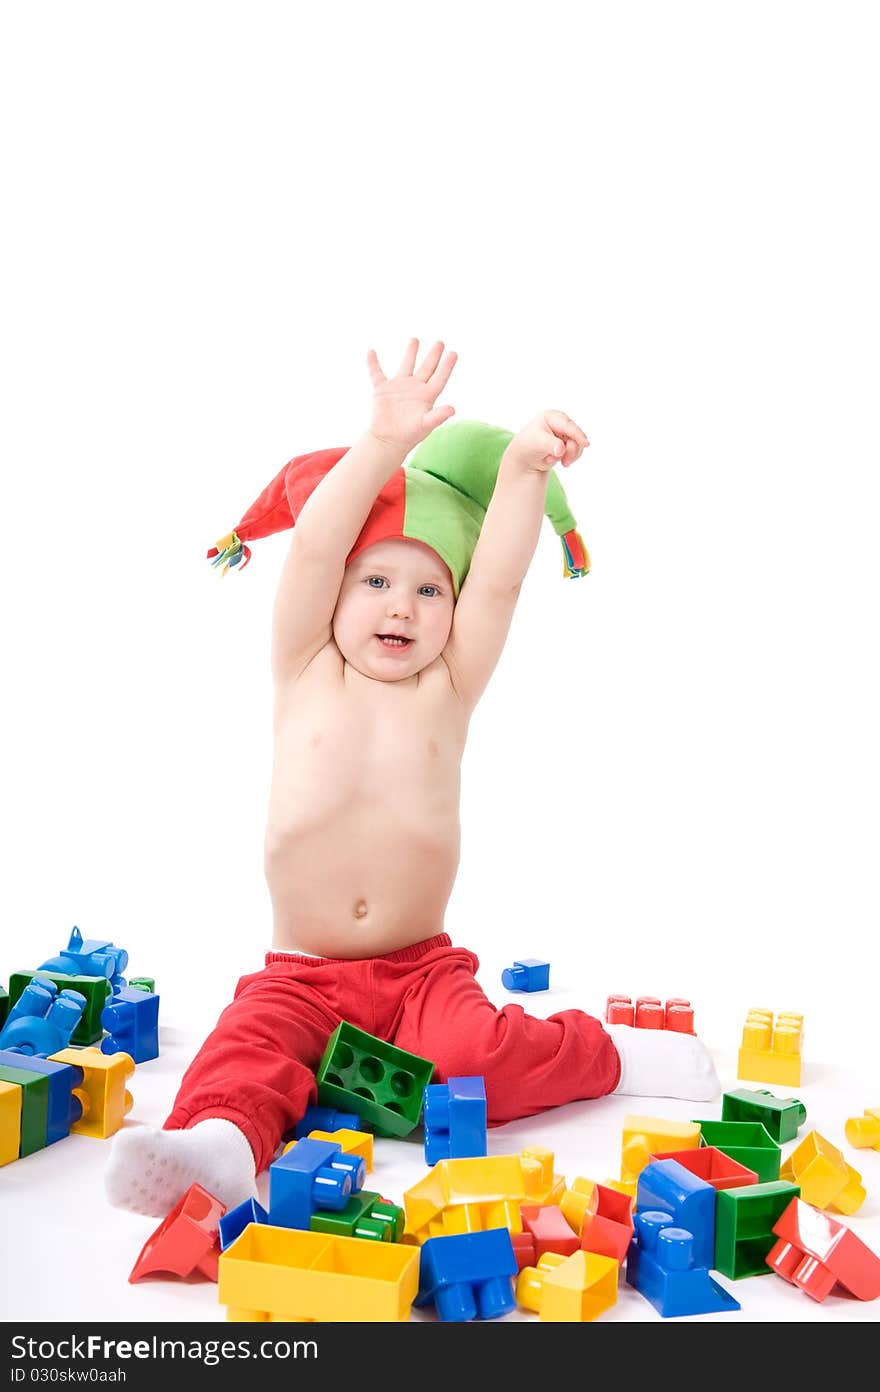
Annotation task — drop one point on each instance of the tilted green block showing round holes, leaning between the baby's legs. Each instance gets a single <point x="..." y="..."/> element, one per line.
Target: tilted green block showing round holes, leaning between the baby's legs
<point x="382" y="1084"/>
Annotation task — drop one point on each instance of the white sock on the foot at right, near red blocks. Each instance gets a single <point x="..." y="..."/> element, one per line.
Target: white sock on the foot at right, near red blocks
<point x="663" y="1064"/>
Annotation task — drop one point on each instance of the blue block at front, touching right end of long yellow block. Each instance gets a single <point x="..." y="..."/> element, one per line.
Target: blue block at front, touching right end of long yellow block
<point x="469" y="1276"/>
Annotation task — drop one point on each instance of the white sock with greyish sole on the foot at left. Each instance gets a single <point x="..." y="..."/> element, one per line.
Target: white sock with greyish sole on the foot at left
<point x="150" y="1170"/>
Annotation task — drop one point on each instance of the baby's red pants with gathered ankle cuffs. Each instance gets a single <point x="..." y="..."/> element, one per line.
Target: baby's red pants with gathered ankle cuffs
<point x="257" y="1068"/>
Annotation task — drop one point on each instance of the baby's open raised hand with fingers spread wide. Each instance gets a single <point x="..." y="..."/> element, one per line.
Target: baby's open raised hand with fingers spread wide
<point x="403" y="411"/>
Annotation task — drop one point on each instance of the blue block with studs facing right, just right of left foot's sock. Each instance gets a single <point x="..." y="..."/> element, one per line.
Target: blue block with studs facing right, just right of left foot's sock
<point x="313" y="1174"/>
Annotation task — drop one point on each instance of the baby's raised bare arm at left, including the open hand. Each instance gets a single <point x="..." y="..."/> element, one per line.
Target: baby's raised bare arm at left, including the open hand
<point x="333" y="516"/>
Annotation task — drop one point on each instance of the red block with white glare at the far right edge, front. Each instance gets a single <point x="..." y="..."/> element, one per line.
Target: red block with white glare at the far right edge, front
<point x="815" y="1253"/>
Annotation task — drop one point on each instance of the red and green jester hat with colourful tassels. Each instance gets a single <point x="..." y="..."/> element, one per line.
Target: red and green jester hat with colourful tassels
<point x="441" y="498"/>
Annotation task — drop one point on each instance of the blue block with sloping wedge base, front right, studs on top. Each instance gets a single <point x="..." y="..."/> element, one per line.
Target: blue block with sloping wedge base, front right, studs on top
<point x="661" y="1266"/>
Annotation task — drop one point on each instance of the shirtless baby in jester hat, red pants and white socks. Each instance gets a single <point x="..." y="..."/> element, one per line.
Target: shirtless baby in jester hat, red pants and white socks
<point x="392" y="612"/>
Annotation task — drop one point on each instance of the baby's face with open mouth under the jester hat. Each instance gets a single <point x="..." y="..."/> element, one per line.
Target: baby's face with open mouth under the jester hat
<point x="400" y="588"/>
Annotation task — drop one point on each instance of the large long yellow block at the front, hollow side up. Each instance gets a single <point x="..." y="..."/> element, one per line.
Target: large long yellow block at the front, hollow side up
<point x="290" y="1274"/>
